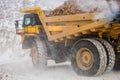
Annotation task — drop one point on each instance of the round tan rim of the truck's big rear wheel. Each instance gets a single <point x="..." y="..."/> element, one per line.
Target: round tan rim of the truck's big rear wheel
<point x="84" y="59"/>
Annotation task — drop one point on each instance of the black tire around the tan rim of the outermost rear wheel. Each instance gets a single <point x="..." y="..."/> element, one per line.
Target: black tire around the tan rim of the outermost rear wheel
<point x="99" y="55"/>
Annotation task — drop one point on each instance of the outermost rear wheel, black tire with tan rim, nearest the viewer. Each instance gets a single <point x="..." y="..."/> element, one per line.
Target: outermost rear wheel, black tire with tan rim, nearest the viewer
<point x="89" y="57"/>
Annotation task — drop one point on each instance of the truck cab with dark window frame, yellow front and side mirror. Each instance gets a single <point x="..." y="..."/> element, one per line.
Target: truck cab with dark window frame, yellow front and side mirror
<point x="31" y="24"/>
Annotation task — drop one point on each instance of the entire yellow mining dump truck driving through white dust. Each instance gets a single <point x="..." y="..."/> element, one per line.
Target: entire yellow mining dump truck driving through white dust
<point x="90" y="45"/>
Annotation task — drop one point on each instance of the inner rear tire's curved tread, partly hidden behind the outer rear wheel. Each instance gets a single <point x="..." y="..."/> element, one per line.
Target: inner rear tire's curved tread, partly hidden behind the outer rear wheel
<point x="110" y="54"/>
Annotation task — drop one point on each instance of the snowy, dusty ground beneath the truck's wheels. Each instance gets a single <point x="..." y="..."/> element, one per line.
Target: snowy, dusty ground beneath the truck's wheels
<point x="23" y="70"/>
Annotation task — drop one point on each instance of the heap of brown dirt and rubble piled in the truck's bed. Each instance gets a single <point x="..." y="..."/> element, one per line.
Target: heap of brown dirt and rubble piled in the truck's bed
<point x="69" y="7"/>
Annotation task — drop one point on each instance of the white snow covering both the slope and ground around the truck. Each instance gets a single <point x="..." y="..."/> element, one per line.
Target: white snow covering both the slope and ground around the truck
<point x="15" y="63"/>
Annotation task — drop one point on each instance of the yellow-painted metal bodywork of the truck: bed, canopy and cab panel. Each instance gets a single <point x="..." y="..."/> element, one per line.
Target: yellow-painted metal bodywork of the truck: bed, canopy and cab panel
<point x="60" y="28"/>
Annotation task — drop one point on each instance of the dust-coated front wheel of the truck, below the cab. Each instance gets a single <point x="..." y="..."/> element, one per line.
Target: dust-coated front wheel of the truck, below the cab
<point x="39" y="54"/>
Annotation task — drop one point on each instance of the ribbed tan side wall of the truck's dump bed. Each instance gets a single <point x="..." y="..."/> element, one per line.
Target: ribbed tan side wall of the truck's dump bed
<point x="70" y="26"/>
